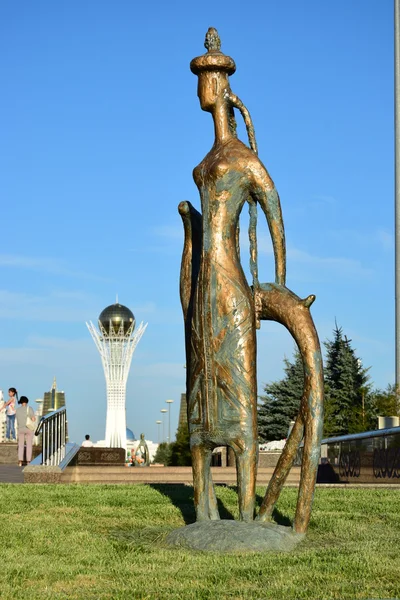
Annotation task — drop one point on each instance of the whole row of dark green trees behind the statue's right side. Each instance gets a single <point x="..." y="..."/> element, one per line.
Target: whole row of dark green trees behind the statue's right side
<point x="352" y="405"/>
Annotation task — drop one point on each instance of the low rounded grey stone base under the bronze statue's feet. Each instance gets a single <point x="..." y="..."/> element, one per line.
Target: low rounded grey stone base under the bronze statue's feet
<point x="235" y="536"/>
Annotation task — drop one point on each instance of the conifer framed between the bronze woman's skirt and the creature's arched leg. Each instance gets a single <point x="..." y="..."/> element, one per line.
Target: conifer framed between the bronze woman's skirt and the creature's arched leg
<point x="281" y="401"/>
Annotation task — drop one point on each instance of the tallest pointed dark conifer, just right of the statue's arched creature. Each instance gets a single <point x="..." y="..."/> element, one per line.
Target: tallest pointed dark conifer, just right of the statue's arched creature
<point x="347" y="388"/>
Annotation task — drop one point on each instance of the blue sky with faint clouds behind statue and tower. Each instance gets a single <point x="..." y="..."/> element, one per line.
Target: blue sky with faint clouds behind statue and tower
<point x="101" y="128"/>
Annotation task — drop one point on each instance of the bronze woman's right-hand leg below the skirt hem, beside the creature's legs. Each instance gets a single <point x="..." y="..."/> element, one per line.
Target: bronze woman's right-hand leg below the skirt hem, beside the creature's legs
<point x="246" y="467"/>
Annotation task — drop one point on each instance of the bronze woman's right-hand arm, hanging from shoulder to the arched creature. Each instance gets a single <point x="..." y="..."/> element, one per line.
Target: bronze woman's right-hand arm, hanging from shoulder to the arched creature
<point x="265" y="193"/>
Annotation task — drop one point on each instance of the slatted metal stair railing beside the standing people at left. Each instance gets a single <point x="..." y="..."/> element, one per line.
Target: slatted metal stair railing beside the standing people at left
<point x="53" y="428"/>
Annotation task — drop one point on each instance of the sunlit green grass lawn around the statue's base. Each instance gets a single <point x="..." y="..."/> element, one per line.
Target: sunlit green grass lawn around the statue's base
<point x="106" y="541"/>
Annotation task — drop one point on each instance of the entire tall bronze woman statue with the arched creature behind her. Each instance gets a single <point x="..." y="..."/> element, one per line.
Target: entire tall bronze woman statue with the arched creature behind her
<point x="222" y="311"/>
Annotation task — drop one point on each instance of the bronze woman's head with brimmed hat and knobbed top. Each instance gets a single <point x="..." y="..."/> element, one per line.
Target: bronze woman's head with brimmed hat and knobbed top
<point x="213" y="70"/>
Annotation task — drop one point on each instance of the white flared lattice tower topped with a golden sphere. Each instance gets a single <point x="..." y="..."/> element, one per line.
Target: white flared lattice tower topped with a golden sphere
<point x="116" y="341"/>
